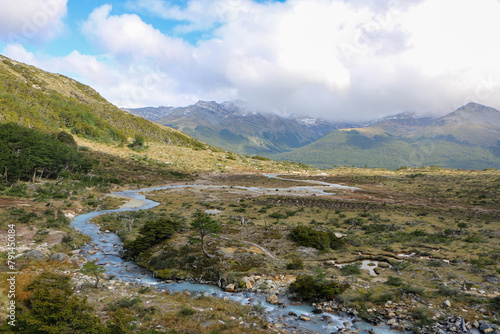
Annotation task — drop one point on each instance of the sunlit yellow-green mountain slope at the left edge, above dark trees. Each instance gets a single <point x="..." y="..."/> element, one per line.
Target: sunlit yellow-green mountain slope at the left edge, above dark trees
<point x="52" y="102"/>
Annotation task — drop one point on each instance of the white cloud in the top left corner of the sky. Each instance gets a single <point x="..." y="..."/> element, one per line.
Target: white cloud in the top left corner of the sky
<point x="31" y="20"/>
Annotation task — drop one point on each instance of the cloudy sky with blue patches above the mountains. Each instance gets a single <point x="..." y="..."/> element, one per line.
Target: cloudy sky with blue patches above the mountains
<point x="335" y="59"/>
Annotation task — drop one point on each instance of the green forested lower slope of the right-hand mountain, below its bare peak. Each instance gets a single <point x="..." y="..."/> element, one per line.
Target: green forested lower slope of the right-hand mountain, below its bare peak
<point x="347" y="148"/>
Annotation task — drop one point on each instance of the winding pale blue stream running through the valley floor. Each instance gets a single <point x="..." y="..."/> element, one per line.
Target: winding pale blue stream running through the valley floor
<point x="106" y="247"/>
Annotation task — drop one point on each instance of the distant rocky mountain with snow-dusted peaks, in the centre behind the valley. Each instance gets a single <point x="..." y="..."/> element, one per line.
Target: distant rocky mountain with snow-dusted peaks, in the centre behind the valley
<point x="230" y="125"/>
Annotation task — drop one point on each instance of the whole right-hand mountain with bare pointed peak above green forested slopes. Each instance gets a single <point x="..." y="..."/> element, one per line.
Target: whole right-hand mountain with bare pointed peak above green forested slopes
<point x="467" y="138"/>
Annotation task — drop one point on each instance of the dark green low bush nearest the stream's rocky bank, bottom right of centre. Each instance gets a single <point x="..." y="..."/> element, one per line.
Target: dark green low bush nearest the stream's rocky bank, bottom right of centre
<point x="311" y="289"/>
